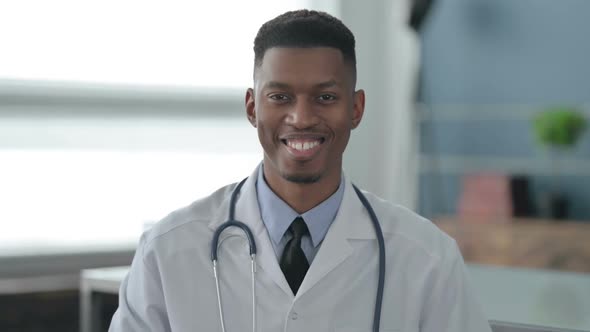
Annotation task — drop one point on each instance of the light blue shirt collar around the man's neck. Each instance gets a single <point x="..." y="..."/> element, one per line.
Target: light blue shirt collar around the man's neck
<point x="278" y="215"/>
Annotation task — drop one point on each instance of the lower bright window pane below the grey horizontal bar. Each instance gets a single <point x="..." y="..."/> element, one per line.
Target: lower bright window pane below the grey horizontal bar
<point x="87" y="182"/>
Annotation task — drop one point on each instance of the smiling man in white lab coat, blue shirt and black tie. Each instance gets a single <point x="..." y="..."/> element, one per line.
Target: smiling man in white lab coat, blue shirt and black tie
<point x="317" y="253"/>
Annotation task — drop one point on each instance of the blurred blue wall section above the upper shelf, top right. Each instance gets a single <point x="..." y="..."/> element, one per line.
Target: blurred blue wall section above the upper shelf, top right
<point x="507" y="52"/>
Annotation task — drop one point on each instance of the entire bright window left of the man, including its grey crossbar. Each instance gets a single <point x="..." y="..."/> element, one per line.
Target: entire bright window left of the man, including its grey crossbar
<point x="115" y="113"/>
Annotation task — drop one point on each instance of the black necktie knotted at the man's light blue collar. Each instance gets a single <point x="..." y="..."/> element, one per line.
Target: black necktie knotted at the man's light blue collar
<point x="293" y="261"/>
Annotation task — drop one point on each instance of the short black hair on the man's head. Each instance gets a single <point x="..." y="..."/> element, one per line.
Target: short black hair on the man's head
<point x="305" y="28"/>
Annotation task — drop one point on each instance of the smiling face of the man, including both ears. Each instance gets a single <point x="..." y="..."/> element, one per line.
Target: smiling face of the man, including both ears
<point x="304" y="106"/>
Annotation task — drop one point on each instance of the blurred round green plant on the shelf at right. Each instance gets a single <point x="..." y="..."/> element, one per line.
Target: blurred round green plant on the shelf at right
<point x="559" y="127"/>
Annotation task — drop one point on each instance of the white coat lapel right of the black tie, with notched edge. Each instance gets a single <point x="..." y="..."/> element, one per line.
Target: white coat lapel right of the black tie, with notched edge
<point x="351" y="222"/>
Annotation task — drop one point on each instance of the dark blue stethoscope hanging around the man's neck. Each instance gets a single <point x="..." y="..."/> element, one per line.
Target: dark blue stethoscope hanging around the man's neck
<point x="232" y="222"/>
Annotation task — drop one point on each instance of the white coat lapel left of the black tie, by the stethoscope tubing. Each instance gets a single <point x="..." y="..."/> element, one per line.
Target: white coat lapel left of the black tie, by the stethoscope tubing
<point x="248" y="212"/>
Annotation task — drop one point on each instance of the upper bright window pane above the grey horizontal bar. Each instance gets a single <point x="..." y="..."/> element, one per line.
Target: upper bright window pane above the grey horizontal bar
<point x="173" y="42"/>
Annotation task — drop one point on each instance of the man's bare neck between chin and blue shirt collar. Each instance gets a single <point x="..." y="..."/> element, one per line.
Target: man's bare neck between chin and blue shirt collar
<point x="303" y="197"/>
